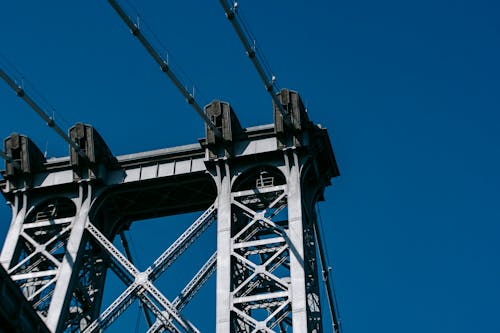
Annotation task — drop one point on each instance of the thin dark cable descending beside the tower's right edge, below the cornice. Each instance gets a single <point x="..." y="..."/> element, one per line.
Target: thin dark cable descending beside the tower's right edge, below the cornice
<point x="328" y="281"/>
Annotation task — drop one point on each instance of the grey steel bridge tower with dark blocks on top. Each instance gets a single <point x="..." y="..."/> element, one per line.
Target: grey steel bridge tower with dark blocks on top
<point x="259" y="185"/>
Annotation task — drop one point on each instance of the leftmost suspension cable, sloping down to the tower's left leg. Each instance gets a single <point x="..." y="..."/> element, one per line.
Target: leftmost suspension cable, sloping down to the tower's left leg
<point x="20" y="92"/>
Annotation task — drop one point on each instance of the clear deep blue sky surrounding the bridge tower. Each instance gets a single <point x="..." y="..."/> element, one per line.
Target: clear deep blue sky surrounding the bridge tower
<point x="409" y="91"/>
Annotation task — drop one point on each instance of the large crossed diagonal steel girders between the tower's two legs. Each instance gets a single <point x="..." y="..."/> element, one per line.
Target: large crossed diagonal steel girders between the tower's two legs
<point x="140" y="284"/>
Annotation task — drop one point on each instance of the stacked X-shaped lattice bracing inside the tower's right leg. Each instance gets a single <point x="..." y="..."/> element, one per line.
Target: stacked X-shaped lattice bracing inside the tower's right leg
<point x="260" y="260"/>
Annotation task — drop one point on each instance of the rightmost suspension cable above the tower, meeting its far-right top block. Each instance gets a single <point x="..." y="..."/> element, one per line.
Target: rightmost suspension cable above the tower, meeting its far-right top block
<point x="269" y="80"/>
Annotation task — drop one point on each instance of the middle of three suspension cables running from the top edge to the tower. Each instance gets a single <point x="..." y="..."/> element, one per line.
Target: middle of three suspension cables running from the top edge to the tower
<point x="136" y="31"/>
